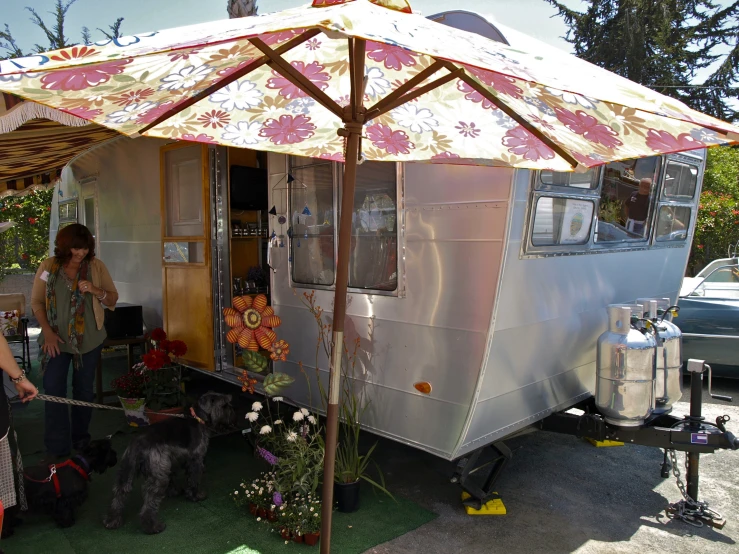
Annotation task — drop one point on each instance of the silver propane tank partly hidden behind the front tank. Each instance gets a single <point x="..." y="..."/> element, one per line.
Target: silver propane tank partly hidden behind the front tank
<point x="668" y="386"/>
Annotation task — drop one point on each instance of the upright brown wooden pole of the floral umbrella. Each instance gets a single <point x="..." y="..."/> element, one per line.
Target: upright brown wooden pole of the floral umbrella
<point x="352" y="131"/>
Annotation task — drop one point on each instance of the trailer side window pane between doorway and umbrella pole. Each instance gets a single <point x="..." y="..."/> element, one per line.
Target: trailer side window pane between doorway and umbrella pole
<point x="312" y="221"/>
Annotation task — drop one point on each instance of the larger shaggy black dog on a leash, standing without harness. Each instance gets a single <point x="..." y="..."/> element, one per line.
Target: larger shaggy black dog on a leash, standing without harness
<point x="160" y="450"/>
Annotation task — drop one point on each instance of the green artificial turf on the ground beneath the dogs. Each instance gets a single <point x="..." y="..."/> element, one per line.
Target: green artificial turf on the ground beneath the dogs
<point x="215" y="525"/>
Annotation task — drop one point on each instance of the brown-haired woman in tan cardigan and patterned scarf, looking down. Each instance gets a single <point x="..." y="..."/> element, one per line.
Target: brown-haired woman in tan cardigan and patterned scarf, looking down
<point x="69" y="292"/>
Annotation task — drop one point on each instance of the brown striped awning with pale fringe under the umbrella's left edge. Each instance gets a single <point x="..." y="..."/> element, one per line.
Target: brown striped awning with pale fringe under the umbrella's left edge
<point x="36" y="142"/>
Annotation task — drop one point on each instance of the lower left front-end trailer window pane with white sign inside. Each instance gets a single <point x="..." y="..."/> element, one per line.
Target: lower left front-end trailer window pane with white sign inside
<point x="562" y="221"/>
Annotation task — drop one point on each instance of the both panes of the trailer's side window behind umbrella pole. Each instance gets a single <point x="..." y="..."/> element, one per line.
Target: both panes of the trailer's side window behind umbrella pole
<point x="373" y="263"/>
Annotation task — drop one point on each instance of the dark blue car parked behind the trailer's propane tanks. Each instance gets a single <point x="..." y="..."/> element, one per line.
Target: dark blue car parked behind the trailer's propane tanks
<point x="709" y="316"/>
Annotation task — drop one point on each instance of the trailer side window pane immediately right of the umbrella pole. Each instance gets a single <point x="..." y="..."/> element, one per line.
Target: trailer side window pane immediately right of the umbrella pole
<point x="374" y="248"/>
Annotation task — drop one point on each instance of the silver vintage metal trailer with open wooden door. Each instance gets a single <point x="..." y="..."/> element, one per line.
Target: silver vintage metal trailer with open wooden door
<point x="478" y="294"/>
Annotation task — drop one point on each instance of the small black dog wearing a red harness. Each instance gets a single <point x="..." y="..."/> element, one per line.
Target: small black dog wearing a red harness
<point x="60" y="492"/>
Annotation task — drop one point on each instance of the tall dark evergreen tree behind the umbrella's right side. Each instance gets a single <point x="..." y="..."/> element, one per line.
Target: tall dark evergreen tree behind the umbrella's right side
<point x="662" y="44"/>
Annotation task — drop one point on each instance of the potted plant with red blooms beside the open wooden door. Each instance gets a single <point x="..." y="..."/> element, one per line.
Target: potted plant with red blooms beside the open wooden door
<point x="163" y="389"/>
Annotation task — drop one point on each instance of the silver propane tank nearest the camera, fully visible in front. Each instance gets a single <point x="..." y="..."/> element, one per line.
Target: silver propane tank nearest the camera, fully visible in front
<point x="625" y="380"/>
